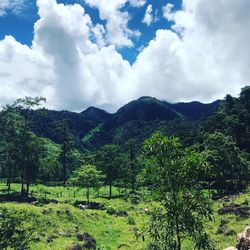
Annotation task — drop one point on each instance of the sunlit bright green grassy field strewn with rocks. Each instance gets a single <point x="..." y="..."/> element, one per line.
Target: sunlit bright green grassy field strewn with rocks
<point x="55" y="225"/>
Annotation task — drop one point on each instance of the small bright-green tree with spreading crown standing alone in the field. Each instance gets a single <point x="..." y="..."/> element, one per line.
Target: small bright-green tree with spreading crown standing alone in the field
<point x="87" y="176"/>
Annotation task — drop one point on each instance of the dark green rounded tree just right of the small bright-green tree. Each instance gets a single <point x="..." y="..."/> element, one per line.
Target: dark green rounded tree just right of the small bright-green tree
<point x="110" y="161"/>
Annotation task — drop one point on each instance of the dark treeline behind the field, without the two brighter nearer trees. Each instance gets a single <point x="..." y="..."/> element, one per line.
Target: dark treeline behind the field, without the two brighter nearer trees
<point x="224" y="138"/>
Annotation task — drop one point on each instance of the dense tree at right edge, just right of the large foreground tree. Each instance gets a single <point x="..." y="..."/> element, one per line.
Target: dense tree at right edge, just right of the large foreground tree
<point x="231" y="169"/>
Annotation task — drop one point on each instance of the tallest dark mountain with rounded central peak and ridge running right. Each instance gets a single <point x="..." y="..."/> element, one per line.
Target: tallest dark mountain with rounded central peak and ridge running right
<point x="140" y="118"/>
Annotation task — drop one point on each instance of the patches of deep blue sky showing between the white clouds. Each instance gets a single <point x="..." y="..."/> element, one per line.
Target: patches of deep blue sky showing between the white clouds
<point x="21" y="25"/>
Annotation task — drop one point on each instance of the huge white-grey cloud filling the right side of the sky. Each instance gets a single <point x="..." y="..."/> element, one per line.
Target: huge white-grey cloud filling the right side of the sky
<point x="207" y="59"/>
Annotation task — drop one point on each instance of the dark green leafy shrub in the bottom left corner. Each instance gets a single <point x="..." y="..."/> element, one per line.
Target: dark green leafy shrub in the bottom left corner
<point x="12" y="233"/>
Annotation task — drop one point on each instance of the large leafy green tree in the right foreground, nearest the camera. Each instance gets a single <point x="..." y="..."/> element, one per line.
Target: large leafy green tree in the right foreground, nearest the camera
<point x="174" y="171"/>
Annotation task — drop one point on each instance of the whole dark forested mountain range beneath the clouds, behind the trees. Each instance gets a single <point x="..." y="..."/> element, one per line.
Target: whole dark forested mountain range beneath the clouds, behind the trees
<point x="138" y="119"/>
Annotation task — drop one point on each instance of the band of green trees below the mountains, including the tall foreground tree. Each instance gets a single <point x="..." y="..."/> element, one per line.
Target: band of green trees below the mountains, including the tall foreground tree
<point x="216" y="159"/>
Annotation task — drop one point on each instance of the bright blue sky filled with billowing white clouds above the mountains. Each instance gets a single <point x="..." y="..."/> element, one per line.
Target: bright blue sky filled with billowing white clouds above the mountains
<point x="105" y="53"/>
